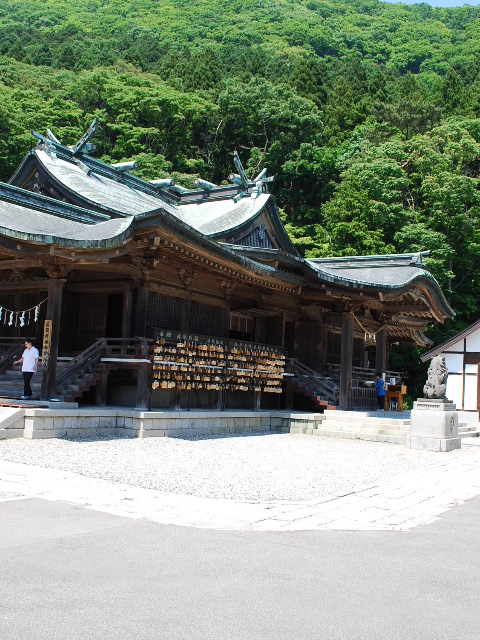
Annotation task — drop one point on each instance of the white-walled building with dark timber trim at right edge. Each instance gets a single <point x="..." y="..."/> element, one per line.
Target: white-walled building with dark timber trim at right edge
<point x="462" y="357"/>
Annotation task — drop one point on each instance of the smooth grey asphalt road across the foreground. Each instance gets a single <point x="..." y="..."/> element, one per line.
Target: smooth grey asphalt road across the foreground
<point x="70" y="573"/>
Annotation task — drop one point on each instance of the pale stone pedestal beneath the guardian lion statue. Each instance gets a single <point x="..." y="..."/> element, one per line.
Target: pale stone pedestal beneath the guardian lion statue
<point x="433" y="426"/>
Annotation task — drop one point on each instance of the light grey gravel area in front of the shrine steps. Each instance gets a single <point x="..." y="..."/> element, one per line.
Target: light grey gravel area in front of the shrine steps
<point x="265" y="467"/>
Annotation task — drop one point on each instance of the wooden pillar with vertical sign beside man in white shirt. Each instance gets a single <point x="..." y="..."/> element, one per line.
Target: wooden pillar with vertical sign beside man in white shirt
<point x="49" y="365"/>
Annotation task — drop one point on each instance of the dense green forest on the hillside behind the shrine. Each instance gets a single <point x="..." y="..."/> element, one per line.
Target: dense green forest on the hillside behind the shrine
<point x="368" y="114"/>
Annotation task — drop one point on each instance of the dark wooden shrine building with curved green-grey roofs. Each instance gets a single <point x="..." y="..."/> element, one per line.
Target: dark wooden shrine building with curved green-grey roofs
<point x="151" y="295"/>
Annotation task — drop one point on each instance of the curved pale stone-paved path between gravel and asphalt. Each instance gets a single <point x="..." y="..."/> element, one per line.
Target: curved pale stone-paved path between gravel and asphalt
<point x="398" y="504"/>
